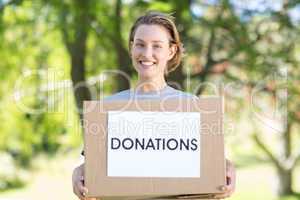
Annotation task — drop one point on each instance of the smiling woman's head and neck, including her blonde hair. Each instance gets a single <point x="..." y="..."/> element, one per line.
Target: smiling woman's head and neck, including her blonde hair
<point x="155" y="49"/>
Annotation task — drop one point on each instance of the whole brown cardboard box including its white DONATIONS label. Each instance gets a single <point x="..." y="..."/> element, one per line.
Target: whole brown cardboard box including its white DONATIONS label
<point x="122" y="163"/>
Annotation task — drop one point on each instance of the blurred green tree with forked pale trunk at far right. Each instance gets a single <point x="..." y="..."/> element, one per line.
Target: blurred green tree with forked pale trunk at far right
<point x="248" y="49"/>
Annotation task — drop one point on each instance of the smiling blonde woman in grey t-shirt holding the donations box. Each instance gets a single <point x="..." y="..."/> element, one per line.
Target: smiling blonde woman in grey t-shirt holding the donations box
<point x="155" y="50"/>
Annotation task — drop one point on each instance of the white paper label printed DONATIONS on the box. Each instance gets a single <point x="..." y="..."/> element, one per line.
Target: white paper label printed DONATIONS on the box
<point x="153" y="144"/>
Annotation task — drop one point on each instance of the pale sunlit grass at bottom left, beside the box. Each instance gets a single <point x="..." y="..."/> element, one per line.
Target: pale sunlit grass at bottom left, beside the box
<point x="50" y="179"/>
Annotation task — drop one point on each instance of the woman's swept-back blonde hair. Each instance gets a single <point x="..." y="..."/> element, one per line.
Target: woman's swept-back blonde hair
<point x="166" y="21"/>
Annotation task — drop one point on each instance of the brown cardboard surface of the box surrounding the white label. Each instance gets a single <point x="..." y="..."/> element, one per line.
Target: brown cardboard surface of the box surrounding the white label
<point x="212" y="152"/>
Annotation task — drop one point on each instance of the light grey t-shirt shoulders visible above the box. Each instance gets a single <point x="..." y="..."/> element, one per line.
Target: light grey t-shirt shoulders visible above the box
<point x="166" y="93"/>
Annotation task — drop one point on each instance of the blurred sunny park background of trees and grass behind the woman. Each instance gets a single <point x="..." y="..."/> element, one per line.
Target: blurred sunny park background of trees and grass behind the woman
<point x="56" y="53"/>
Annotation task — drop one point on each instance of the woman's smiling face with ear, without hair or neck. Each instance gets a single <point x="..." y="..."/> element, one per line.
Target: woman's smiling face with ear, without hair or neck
<point x="151" y="51"/>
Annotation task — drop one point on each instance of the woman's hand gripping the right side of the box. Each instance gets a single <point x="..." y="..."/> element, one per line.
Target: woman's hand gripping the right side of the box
<point x="230" y="181"/>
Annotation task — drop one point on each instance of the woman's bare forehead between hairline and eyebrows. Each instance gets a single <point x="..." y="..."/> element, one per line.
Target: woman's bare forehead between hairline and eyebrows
<point x="150" y="33"/>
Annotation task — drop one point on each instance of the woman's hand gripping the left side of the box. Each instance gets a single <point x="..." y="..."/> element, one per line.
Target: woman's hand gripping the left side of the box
<point x="78" y="183"/>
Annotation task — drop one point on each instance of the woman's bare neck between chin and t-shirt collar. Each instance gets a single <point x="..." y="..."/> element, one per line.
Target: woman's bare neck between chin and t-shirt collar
<point x="151" y="85"/>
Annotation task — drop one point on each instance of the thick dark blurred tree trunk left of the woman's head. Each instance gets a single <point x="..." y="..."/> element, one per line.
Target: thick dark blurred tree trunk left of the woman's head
<point x="75" y="36"/>
